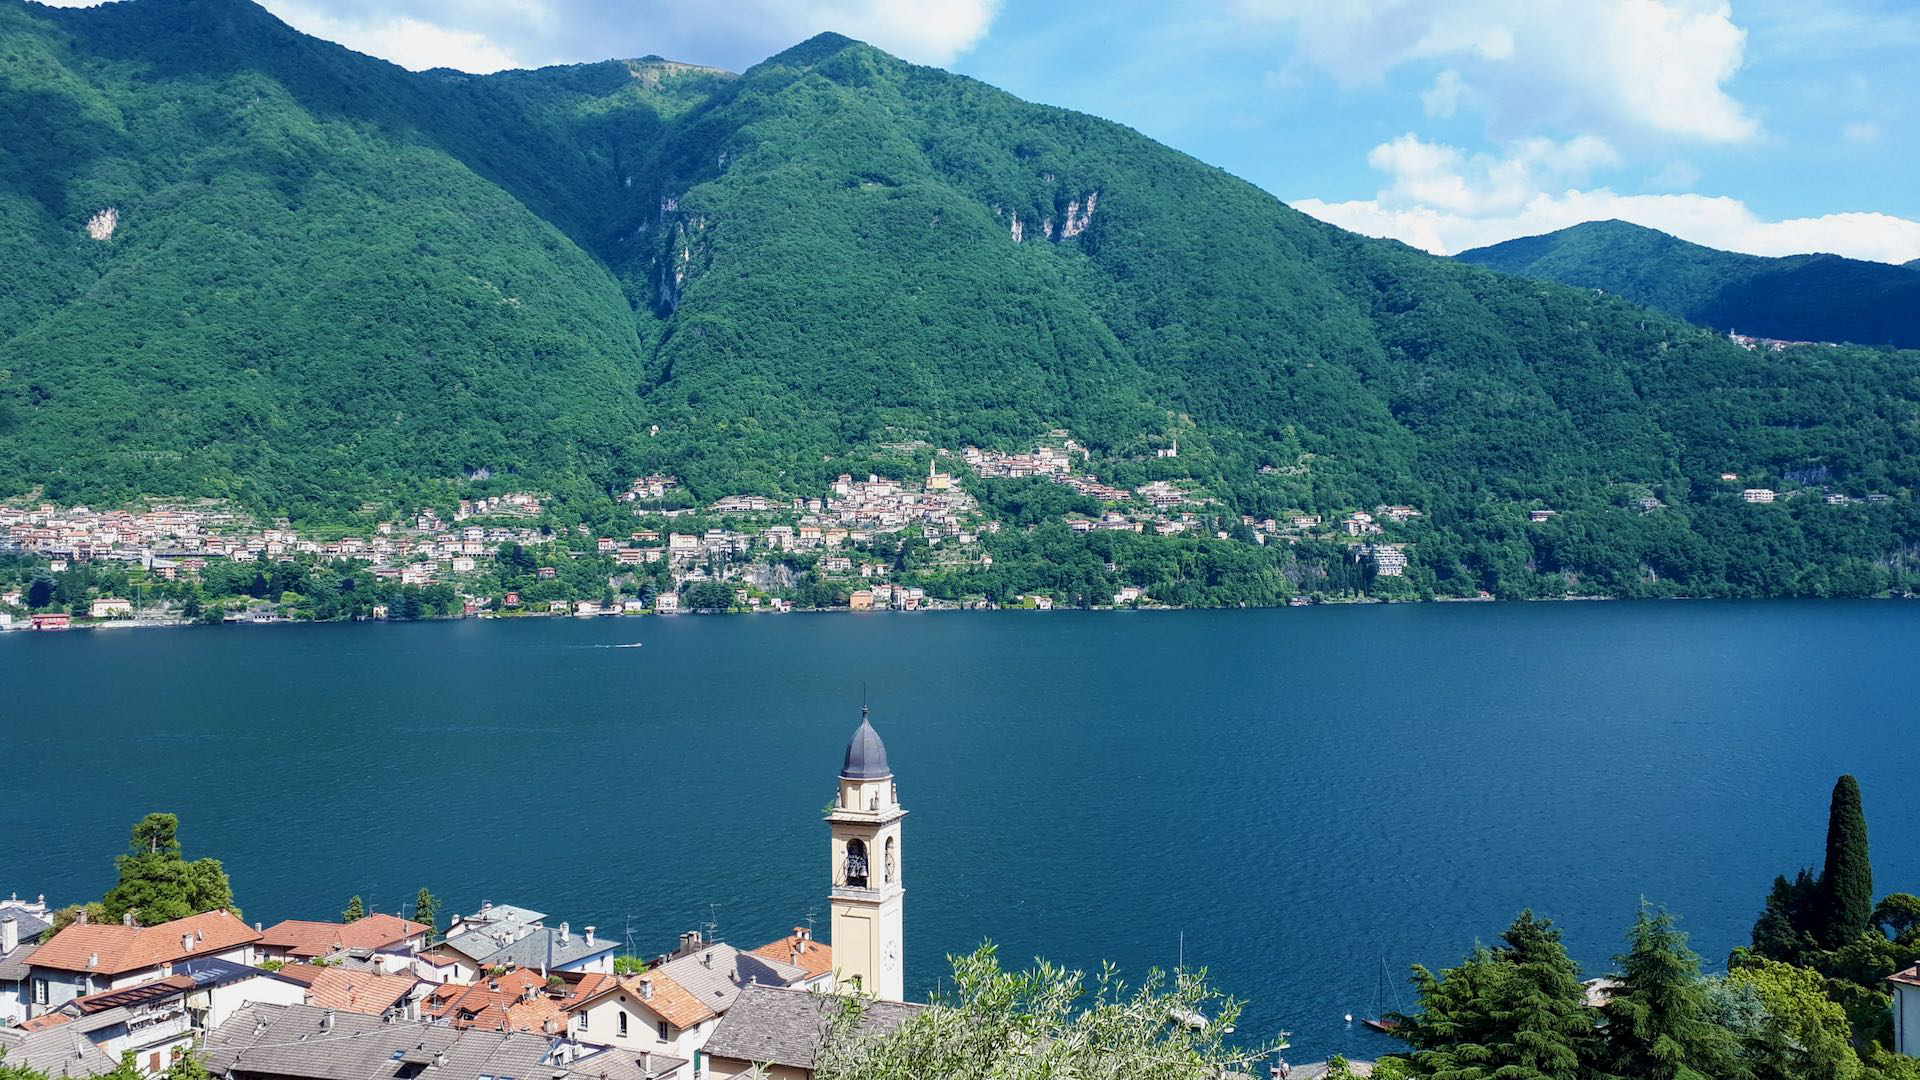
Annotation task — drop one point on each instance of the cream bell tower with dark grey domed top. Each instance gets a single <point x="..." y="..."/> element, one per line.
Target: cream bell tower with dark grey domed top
<point x="869" y="893"/>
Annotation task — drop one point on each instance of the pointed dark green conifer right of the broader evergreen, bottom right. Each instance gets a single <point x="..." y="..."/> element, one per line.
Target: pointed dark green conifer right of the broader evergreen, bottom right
<point x="1662" y="1021"/>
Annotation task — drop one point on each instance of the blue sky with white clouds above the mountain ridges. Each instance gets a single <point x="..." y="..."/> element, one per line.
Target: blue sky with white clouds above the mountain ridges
<point x="1765" y="126"/>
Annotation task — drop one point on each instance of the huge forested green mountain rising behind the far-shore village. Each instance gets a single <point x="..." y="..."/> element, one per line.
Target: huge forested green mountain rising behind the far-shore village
<point x="252" y="264"/>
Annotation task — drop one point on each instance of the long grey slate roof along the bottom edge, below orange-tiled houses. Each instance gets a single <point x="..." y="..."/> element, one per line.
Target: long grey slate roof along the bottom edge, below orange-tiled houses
<point x="291" y="1041"/>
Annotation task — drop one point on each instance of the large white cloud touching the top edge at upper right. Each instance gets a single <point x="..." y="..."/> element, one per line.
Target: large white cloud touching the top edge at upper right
<point x="1618" y="66"/>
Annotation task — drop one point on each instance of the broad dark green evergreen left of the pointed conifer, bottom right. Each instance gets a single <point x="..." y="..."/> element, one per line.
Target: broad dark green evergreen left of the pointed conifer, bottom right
<point x="1510" y="1014"/>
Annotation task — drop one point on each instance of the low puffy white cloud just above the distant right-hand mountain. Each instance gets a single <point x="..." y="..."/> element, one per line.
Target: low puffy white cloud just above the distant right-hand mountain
<point x="1447" y="201"/>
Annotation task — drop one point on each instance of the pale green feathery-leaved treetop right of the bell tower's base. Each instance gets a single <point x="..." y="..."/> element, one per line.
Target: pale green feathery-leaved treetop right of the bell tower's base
<point x="1042" y="1023"/>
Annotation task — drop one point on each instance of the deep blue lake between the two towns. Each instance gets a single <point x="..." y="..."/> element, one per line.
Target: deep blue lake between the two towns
<point x="1301" y="795"/>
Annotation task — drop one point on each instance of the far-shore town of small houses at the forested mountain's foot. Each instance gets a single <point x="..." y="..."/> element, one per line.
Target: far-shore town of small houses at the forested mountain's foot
<point x="903" y="543"/>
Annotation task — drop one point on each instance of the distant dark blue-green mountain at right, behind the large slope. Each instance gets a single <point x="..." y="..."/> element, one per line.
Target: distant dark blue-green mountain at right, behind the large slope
<point x="1808" y="299"/>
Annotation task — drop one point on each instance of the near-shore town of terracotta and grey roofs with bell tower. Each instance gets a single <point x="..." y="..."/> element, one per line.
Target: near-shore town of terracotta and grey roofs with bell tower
<point x="502" y="993"/>
